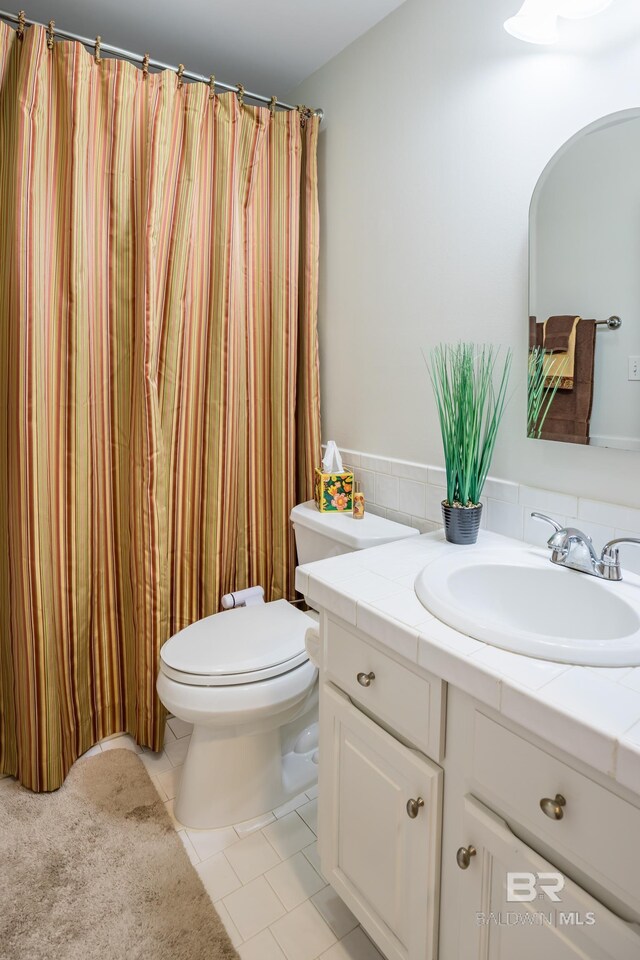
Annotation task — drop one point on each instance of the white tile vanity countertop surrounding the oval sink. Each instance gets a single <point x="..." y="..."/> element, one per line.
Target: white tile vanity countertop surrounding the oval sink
<point x="591" y="712"/>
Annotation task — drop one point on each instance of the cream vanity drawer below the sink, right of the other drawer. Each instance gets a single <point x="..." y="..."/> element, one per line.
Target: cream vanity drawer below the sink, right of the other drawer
<point x="598" y="831"/>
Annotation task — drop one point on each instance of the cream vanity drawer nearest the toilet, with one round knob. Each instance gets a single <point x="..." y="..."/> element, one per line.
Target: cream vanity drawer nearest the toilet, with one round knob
<point x="412" y="704"/>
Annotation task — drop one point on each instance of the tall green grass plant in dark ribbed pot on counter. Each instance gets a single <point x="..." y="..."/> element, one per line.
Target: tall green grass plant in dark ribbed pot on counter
<point x="470" y="392"/>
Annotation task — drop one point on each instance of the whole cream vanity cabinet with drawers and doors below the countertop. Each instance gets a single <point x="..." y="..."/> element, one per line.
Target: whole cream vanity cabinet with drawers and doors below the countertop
<point x="503" y="848"/>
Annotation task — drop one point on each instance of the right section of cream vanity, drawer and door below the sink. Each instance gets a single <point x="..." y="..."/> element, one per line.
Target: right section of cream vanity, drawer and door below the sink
<point x="540" y="855"/>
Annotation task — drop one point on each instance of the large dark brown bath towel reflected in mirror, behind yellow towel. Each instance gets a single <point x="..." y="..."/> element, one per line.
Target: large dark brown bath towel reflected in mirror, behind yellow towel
<point x="570" y="411"/>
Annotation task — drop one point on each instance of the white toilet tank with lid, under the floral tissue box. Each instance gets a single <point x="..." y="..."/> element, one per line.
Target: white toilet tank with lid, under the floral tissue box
<point x="321" y="535"/>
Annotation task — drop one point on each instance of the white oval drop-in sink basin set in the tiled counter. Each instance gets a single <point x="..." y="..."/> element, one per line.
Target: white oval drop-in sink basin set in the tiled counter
<point x="520" y="601"/>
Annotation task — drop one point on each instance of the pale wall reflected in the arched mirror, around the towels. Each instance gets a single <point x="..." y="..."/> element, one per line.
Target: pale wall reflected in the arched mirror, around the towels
<point x="586" y="232"/>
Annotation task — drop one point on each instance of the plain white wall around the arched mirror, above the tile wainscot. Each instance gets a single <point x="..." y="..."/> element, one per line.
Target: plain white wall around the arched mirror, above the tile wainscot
<point x="437" y="126"/>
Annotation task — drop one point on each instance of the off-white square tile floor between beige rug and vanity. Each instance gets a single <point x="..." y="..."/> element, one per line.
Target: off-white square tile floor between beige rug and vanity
<point x="263" y="876"/>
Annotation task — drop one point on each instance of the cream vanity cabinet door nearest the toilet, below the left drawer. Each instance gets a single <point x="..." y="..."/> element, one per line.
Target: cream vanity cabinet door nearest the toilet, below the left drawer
<point x="382" y="861"/>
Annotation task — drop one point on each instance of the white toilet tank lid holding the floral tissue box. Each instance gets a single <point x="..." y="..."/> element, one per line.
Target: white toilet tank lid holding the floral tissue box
<point x="370" y="531"/>
